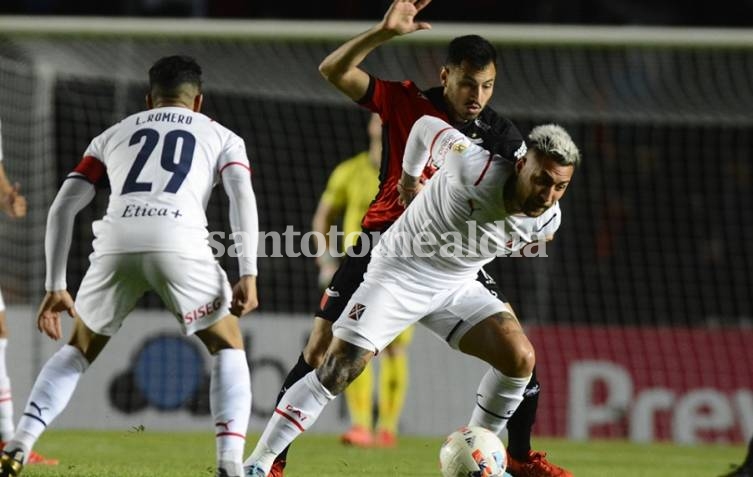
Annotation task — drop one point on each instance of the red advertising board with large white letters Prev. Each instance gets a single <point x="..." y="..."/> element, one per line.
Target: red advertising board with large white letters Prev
<point x="645" y="383"/>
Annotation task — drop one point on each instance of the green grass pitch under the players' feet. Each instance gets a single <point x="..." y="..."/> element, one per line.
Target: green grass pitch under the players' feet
<point x="159" y="454"/>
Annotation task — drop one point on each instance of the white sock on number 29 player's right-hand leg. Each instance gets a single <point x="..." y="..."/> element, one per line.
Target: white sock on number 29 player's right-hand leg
<point x="230" y="403"/>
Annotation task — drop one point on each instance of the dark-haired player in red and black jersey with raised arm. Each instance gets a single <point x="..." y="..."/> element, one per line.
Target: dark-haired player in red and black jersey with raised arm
<point x="467" y="82"/>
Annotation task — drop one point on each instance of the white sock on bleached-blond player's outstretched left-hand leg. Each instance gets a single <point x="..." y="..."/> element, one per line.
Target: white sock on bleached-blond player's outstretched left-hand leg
<point x="297" y="411"/>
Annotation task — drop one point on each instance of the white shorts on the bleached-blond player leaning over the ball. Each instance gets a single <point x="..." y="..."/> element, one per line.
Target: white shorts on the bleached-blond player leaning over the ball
<point x="379" y="312"/>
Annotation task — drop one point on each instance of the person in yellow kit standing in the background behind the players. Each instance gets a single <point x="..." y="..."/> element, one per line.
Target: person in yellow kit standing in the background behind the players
<point x="350" y="189"/>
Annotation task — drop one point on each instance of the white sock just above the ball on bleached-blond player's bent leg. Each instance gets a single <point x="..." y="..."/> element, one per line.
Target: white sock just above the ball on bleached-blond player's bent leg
<point x="497" y="398"/>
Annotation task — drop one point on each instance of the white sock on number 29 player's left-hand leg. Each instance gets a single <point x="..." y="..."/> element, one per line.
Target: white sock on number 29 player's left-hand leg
<point x="51" y="392"/>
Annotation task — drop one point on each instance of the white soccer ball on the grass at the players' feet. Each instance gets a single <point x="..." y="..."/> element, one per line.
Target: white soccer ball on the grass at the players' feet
<point x="472" y="452"/>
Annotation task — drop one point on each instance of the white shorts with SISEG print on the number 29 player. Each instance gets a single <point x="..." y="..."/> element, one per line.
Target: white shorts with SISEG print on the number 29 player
<point x="194" y="289"/>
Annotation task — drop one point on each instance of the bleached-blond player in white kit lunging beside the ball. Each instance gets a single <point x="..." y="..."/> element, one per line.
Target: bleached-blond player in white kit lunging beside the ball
<point x="477" y="206"/>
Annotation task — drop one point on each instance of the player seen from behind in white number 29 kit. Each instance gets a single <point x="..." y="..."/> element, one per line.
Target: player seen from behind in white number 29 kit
<point x="162" y="164"/>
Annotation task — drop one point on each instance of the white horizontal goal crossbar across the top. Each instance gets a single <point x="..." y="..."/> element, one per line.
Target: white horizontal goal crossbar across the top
<point x="505" y="33"/>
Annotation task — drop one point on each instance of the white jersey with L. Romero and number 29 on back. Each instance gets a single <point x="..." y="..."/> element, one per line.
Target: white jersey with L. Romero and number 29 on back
<point x="162" y="165"/>
